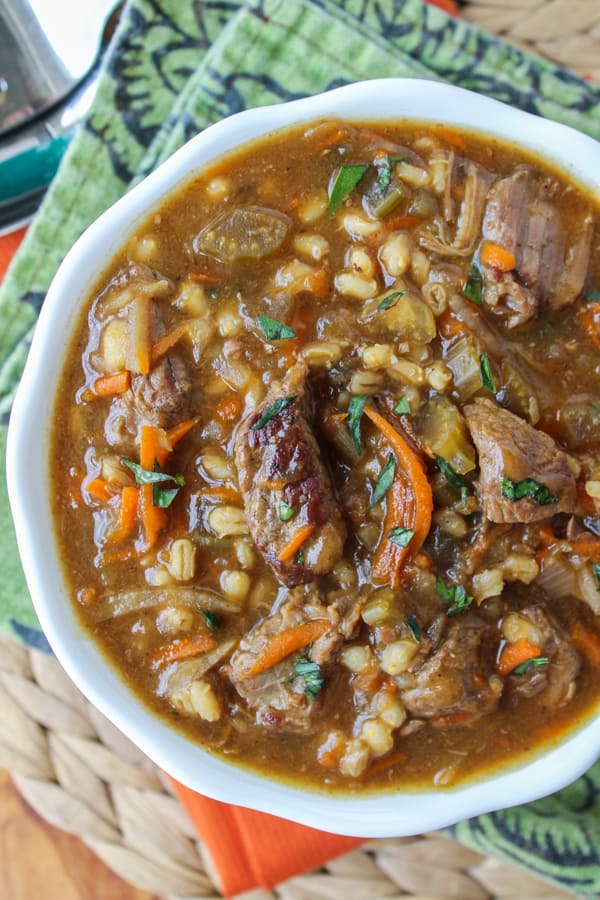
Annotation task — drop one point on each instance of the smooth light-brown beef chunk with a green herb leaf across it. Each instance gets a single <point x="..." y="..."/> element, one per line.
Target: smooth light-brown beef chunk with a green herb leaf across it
<point x="510" y="448"/>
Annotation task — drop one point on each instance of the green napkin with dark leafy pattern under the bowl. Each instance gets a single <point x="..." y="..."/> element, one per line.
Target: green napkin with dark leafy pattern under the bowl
<point x="176" y="66"/>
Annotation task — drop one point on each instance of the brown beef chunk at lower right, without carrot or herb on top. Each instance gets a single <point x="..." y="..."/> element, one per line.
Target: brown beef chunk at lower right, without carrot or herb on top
<point x="458" y="679"/>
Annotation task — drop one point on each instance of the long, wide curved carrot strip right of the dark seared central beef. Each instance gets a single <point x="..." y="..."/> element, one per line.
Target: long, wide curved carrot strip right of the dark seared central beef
<point x="409" y="505"/>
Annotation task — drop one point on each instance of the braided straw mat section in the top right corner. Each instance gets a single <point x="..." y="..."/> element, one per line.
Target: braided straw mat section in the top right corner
<point x="565" y="31"/>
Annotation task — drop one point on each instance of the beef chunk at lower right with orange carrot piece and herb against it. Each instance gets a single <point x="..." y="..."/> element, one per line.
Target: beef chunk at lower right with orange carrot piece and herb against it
<point x="556" y="679"/>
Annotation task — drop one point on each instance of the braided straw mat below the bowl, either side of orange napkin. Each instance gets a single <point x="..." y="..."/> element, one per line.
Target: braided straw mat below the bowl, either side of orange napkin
<point x="80" y="774"/>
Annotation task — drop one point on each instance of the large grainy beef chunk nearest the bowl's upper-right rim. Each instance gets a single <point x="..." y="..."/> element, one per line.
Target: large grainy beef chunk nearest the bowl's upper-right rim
<point x="550" y="268"/>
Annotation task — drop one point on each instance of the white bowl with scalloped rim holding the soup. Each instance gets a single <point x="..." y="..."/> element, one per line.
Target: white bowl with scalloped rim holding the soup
<point x="394" y="813"/>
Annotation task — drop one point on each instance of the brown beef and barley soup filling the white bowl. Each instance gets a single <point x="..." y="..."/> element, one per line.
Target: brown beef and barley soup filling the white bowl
<point x="325" y="461"/>
